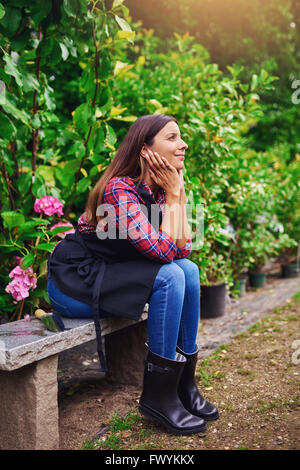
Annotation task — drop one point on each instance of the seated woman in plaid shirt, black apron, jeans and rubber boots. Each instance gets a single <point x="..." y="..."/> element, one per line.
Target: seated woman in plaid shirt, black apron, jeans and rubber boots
<point x="124" y="254"/>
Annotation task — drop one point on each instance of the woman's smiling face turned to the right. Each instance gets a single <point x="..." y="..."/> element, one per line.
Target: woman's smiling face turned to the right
<point x="169" y="144"/>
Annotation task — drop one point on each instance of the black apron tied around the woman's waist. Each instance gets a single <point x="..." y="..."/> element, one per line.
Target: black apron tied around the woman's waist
<point x="109" y="275"/>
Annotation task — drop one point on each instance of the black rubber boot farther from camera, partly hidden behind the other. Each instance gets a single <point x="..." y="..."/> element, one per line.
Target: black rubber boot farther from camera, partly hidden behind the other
<point x="189" y="394"/>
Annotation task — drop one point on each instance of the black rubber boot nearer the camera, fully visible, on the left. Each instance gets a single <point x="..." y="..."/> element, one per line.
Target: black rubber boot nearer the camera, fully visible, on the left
<point x="159" y="399"/>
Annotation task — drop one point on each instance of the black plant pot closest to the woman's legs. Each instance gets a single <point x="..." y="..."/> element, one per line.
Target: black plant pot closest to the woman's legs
<point x="213" y="301"/>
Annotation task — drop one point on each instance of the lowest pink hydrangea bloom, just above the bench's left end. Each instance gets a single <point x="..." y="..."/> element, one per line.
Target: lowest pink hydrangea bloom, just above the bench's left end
<point x="22" y="281"/>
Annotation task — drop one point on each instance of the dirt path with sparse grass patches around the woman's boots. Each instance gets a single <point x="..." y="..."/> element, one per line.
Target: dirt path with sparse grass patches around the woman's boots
<point x="253" y="380"/>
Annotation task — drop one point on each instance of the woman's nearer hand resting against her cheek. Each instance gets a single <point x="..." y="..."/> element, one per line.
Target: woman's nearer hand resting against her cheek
<point x="162" y="172"/>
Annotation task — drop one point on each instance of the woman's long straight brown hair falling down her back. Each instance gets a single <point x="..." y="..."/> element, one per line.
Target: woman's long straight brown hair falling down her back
<point x="127" y="161"/>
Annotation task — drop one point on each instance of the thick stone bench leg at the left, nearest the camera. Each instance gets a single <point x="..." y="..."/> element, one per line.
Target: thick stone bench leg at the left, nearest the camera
<point x="28" y="407"/>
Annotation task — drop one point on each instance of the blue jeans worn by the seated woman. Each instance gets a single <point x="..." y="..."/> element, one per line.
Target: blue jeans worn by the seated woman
<point x="174" y="308"/>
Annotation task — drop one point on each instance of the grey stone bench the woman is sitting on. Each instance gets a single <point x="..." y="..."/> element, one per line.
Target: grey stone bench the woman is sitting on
<point x="28" y="373"/>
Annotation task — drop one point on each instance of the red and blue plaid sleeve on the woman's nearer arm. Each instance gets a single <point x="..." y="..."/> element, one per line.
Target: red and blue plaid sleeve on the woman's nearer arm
<point x="133" y="224"/>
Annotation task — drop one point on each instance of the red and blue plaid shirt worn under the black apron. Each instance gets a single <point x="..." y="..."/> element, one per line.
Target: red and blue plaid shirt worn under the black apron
<point x="121" y="193"/>
